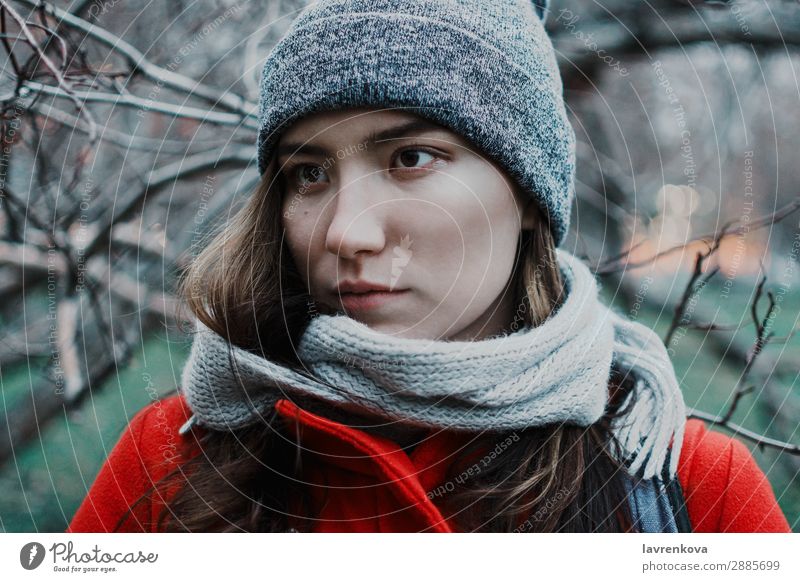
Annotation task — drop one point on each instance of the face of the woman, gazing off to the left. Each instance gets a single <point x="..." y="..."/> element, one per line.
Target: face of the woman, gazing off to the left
<point x="387" y="199"/>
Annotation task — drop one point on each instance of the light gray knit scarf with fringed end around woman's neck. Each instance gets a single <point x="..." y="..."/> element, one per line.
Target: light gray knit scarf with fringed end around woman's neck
<point x="556" y="372"/>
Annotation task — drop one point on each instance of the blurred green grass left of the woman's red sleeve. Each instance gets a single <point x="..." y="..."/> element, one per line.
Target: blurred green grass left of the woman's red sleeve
<point x="41" y="488"/>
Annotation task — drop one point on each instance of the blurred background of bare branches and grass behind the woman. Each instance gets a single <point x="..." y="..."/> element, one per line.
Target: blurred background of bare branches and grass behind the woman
<point x="128" y="137"/>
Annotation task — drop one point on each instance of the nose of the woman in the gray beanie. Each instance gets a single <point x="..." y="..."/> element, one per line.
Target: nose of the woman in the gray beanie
<point x="356" y="227"/>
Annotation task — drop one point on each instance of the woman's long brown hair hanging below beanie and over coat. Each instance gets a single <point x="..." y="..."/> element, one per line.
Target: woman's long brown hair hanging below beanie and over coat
<point x="244" y="286"/>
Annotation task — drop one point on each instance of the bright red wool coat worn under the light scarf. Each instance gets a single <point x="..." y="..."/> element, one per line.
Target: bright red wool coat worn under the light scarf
<point x="375" y="486"/>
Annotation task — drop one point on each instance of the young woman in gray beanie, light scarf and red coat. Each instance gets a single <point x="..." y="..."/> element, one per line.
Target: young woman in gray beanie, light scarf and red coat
<point x="389" y="337"/>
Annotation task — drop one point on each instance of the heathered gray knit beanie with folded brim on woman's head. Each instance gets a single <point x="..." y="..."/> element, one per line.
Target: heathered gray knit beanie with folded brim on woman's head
<point x="486" y="69"/>
